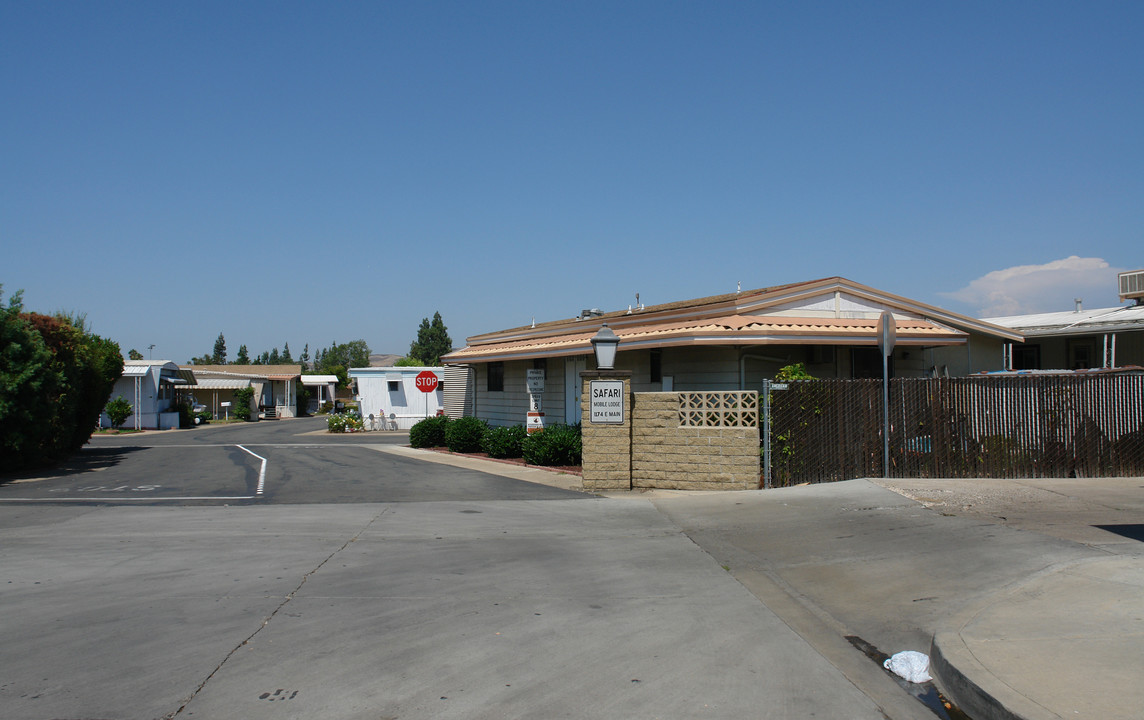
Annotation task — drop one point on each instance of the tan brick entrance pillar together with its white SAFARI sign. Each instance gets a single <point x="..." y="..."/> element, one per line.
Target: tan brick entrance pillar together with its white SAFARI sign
<point x="606" y="426"/>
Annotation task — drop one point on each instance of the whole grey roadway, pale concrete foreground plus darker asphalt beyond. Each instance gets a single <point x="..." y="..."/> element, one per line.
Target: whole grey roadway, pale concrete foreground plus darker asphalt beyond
<point x="150" y="579"/>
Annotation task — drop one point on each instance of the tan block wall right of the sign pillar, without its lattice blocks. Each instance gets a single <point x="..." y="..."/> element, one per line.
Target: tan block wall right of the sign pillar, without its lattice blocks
<point x="668" y="456"/>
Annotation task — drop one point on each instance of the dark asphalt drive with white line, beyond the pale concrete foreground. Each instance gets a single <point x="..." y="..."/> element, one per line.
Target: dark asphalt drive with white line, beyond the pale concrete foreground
<point x="290" y="462"/>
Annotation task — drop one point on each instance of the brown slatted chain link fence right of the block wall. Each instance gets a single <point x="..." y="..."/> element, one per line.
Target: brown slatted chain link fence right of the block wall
<point x="1015" y="426"/>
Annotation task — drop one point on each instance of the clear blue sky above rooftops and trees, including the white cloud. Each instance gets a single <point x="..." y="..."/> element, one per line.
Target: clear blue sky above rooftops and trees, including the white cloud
<point x="309" y="173"/>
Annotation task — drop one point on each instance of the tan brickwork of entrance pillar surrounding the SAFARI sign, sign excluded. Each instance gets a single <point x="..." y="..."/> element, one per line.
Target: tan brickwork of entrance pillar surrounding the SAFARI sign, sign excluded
<point x="607" y="446"/>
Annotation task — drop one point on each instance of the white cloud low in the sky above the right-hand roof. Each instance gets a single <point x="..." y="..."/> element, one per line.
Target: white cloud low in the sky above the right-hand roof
<point x="1042" y="289"/>
